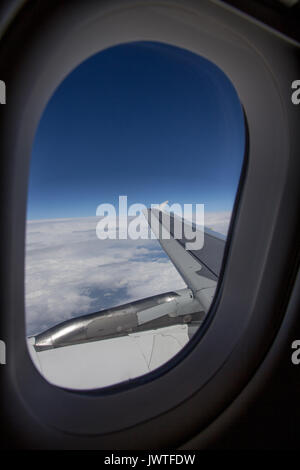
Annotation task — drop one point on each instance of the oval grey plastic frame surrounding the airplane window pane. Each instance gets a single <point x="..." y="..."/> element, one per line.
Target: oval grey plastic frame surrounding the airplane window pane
<point x="189" y="25"/>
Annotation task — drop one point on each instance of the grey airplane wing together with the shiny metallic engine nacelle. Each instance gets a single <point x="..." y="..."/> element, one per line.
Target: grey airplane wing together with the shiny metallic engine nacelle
<point x="121" y="343"/>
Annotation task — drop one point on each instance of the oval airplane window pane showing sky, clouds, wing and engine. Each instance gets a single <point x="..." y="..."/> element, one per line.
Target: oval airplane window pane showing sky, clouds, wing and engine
<point x="134" y="171"/>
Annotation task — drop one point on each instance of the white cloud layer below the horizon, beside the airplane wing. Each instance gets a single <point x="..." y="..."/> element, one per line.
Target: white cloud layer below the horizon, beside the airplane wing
<point x="70" y="272"/>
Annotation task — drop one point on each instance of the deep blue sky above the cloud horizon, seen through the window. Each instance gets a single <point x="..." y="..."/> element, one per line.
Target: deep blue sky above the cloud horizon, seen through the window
<point x="146" y="120"/>
